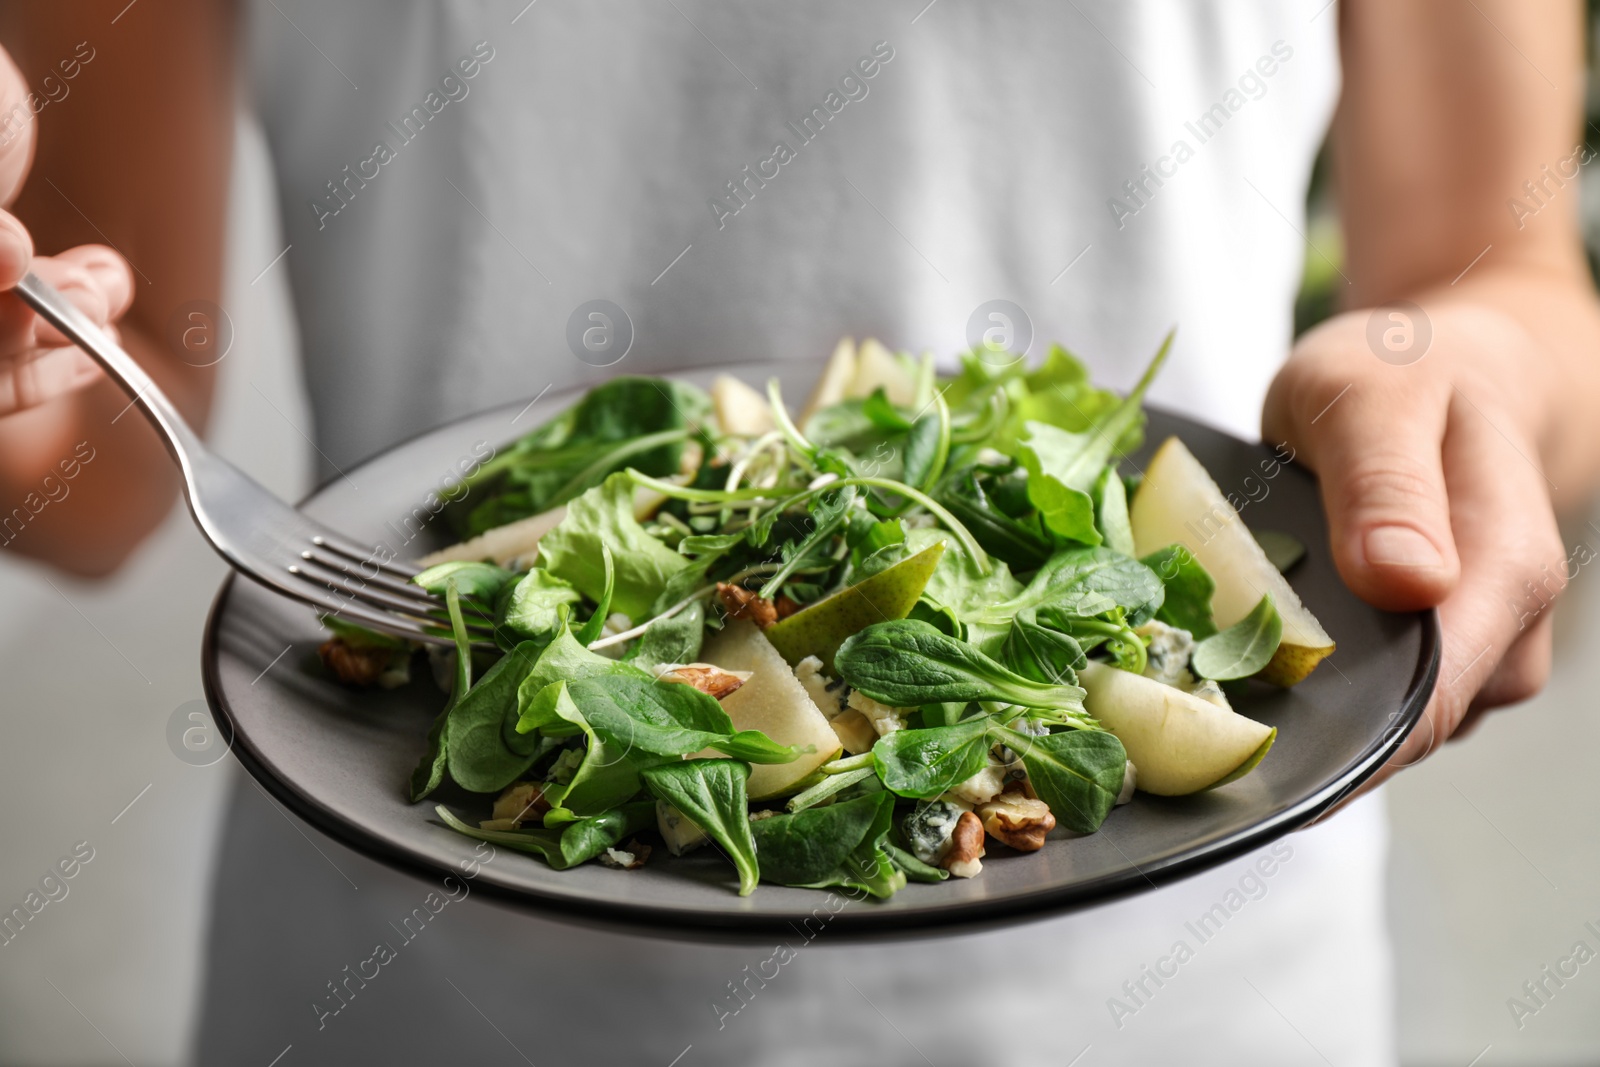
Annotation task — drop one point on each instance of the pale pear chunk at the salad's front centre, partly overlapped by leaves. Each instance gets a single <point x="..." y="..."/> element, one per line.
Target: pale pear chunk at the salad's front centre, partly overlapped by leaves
<point x="772" y="701"/>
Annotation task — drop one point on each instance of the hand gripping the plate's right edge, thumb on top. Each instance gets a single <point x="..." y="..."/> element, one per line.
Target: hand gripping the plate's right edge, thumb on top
<point x="1436" y="487"/>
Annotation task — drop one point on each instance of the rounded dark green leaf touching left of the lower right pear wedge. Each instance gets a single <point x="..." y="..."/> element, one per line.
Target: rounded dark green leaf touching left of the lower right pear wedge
<point x="1078" y="773"/>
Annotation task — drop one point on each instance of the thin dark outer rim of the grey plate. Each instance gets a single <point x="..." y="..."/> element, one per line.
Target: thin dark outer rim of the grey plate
<point x="854" y="924"/>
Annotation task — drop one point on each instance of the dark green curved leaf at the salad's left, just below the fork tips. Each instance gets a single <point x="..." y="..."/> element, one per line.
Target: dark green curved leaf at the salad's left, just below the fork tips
<point x="481" y="754"/>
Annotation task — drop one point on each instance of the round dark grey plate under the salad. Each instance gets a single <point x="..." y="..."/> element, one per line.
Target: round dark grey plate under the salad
<point x="340" y="757"/>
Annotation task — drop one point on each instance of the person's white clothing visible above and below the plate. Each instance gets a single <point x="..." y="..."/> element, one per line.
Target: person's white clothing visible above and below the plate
<point x="753" y="182"/>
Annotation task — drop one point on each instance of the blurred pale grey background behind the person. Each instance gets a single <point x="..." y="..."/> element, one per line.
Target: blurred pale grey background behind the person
<point x="1494" y="869"/>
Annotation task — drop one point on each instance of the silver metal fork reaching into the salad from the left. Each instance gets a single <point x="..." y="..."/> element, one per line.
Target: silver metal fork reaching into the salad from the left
<point x="255" y="532"/>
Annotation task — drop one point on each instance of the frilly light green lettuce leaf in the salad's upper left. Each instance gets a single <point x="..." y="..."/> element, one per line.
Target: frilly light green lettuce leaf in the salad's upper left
<point x="604" y="518"/>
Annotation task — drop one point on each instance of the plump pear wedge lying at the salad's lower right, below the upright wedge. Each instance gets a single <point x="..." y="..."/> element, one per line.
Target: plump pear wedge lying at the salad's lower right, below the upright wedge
<point x="1178" y="743"/>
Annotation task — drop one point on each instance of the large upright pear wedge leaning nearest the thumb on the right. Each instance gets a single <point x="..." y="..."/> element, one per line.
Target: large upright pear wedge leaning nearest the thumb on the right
<point x="1178" y="503"/>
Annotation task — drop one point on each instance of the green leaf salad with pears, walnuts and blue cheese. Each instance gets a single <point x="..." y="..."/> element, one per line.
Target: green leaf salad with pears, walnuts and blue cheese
<point x="930" y="620"/>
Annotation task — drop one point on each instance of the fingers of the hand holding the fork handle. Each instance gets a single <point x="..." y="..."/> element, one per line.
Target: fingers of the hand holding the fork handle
<point x="38" y="364"/>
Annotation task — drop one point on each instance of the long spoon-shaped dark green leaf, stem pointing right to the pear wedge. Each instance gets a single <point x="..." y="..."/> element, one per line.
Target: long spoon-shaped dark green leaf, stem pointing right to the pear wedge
<point x="906" y="663"/>
